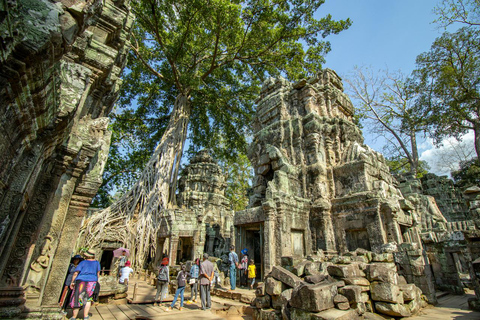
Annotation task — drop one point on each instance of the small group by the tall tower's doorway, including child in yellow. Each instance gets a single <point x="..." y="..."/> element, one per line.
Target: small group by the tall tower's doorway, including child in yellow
<point x="246" y="268"/>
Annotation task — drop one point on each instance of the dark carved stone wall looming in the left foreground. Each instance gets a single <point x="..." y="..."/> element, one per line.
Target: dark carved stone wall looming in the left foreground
<point x="59" y="68"/>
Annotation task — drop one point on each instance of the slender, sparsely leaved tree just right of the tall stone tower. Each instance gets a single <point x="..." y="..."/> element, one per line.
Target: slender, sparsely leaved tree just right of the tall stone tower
<point x="384" y="102"/>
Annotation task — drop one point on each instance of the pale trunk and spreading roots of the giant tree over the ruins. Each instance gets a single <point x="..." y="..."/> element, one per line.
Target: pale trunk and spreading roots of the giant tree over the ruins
<point x="135" y="218"/>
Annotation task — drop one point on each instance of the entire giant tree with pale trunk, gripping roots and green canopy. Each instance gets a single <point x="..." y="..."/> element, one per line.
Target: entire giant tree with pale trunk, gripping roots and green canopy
<point x="201" y="62"/>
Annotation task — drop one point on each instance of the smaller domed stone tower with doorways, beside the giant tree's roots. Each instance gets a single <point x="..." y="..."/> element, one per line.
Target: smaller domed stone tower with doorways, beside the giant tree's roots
<point x="203" y="221"/>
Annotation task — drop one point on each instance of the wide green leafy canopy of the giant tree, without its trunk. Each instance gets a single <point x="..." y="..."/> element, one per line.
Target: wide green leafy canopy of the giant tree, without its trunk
<point x="217" y="53"/>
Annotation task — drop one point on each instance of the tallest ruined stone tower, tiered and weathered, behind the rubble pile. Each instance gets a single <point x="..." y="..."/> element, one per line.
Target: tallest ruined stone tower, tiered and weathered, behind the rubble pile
<point x="316" y="185"/>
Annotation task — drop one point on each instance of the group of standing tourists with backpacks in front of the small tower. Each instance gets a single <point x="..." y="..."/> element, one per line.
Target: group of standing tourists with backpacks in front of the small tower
<point x="200" y="274"/>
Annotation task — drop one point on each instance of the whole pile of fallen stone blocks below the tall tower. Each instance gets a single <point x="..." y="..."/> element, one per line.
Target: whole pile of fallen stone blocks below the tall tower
<point x="359" y="285"/>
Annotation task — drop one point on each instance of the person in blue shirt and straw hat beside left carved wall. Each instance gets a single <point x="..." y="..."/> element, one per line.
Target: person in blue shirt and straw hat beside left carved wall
<point x="83" y="283"/>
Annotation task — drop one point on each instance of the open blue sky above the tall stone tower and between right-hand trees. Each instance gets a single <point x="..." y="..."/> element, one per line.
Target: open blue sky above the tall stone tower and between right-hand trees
<point x="385" y="34"/>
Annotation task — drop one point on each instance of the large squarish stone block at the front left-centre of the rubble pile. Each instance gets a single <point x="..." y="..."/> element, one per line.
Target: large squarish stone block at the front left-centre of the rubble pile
<point x="314" y="298"/>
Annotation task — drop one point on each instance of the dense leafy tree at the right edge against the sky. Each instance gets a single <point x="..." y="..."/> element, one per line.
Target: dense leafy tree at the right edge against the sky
<point x="448" y="80"/>
